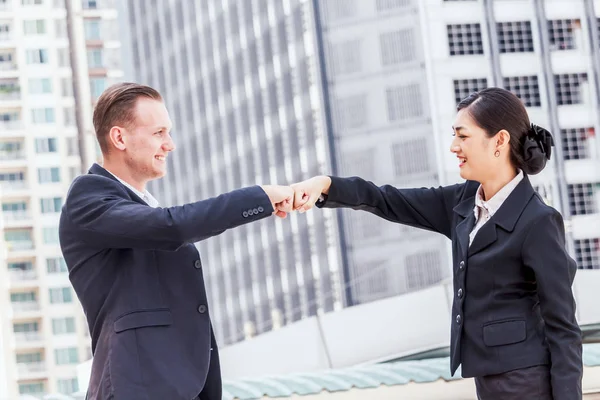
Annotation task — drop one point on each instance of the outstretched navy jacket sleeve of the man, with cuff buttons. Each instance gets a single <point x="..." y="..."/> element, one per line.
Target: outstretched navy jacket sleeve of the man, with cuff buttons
<point x="100" y="212"/>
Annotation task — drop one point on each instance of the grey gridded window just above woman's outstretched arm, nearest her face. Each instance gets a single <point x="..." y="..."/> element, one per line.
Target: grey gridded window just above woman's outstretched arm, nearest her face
<point x="411" y="158"/>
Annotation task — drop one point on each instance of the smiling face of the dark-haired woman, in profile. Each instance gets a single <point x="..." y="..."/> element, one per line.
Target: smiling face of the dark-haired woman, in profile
<point x="474" y="150"/>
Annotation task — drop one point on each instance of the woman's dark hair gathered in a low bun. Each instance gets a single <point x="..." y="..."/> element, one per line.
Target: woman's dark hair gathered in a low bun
<point x="494" y="109"/>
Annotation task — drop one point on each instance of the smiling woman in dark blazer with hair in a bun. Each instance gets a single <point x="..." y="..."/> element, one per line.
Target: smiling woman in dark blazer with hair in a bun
<point x="513" y="325"/>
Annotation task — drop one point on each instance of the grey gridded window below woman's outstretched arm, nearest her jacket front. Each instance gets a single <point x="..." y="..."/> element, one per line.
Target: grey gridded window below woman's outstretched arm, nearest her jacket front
<point x="423" y="269"/>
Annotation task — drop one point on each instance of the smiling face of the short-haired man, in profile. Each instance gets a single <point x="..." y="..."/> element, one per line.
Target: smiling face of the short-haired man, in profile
<point x="148" y="141"/>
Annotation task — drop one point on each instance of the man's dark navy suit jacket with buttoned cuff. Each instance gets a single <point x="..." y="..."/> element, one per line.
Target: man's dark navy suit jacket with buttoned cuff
<point x="139" y="278"/>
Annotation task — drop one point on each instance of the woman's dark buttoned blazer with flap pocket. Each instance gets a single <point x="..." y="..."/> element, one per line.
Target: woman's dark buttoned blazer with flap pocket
<point x="513" y="306"/>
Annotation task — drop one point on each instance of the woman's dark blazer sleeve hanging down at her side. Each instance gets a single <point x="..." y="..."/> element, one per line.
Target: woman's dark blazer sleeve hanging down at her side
<point x="545" y="253"/>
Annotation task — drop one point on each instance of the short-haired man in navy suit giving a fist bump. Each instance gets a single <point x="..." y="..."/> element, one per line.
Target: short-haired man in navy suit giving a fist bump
<point x="133" y="265"/>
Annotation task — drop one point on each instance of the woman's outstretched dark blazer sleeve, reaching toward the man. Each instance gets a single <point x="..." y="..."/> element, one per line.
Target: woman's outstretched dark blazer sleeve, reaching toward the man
<point x="426" y="208"/>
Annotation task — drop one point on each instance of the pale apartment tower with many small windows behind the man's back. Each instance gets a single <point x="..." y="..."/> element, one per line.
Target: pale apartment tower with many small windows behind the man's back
<point x="55" y="56"/>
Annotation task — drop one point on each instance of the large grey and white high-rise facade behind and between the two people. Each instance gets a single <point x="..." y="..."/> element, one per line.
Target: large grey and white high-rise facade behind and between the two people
<point x="278" y="91"/>
